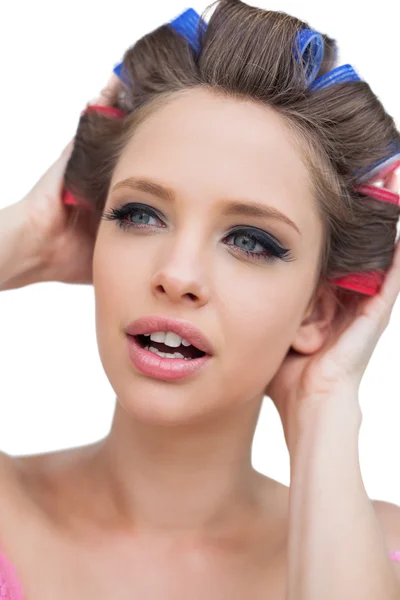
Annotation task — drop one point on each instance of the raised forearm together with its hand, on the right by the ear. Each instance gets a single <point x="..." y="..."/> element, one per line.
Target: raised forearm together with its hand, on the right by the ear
<point x="337" y="548"/>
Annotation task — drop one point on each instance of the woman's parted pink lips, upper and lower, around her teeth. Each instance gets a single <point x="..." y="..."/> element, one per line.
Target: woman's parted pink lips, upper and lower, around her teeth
<point x="166" y="369"/>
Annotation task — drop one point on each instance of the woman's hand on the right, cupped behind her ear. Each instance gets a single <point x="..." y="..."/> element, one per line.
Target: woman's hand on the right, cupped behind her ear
<point x="304" y="383"/>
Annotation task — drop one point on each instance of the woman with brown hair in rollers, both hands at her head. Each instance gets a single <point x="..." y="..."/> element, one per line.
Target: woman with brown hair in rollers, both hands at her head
<point x="223" y="203"/>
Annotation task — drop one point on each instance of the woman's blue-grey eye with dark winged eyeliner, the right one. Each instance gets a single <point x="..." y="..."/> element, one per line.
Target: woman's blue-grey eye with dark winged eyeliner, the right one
<point x="256" y="244"/>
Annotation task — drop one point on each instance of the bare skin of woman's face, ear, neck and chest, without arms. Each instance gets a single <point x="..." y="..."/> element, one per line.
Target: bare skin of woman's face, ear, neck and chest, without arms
<point x="172" y="485"/>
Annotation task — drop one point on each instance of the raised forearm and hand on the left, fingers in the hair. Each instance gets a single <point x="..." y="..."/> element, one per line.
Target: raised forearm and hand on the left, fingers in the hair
<point x="37" y="242"/>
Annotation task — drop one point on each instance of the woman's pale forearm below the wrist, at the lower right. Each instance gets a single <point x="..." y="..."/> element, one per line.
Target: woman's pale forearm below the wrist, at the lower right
<point x="337" y="547"/>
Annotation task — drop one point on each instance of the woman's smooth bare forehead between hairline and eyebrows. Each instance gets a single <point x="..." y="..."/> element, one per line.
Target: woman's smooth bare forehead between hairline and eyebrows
<point x="207" y="146"/>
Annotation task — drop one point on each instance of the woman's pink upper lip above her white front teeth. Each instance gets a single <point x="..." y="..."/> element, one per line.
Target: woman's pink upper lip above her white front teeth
<point x="184" y="329"/>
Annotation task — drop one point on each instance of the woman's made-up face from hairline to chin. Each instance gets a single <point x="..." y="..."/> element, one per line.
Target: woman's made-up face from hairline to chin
<point x="203" y="252"/>
